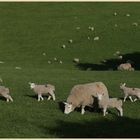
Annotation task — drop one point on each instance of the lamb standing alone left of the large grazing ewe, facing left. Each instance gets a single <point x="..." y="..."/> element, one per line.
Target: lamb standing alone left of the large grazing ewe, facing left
<point x="43" y="90"/>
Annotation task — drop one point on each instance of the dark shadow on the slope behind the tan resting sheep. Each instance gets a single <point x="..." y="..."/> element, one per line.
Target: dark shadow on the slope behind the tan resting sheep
<point x="112" y="64"/>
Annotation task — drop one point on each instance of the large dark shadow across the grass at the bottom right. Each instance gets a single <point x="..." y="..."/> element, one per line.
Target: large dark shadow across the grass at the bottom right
<point x="119" y="127"/>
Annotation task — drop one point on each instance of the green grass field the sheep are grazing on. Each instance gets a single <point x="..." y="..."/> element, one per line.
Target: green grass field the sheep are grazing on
<point x="27" y="30"/>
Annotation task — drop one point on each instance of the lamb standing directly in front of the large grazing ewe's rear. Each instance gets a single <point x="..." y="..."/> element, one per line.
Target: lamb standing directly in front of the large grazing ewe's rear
<point x="106" y="102"/>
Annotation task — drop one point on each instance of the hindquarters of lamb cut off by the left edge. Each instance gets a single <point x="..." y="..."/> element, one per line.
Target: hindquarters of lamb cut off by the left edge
<point x="5" y="93"/>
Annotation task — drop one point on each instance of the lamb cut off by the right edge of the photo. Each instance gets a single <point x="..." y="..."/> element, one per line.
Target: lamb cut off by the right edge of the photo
<point x="129" y="92"/>
